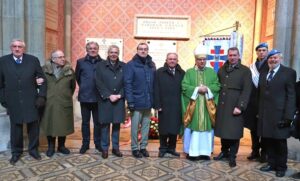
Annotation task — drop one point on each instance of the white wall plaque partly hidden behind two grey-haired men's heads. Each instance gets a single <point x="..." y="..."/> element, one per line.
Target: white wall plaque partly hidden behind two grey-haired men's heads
<point x="104" y="43"/>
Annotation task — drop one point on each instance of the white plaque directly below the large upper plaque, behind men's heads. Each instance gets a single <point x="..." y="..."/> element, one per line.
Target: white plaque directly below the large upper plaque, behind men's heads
<point x="158" y="50"/>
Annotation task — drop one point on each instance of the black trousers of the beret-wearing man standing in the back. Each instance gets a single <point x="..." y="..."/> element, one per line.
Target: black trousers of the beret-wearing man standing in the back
<point x="258" y="143"/>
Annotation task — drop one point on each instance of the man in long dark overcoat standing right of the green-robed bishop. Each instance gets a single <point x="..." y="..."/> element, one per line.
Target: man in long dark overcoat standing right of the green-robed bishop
<point x="235" y="80"/>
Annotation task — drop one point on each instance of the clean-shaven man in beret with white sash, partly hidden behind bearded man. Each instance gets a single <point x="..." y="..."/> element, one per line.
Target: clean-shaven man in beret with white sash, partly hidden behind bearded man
<point x="250" y="114"/>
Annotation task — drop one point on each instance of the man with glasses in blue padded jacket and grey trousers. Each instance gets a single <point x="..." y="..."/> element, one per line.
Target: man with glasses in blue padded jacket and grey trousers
<point x="139" y="86"/>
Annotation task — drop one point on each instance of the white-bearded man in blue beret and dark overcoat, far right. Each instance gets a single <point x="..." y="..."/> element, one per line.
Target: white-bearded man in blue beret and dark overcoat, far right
<point x="277" y="106"/>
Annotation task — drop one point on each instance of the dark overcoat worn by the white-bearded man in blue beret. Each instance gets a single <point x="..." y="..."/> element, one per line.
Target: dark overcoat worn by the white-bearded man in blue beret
<point x="277" y="103"/>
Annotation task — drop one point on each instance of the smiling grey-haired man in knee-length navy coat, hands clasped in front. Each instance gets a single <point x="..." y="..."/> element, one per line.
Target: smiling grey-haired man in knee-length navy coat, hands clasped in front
<point x="109" y="82"/>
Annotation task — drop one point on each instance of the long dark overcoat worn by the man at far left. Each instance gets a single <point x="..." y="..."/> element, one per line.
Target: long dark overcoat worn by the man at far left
<point x="18" y="88"/>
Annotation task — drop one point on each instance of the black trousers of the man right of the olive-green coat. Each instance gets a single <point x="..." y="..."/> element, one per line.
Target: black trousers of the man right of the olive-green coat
<point x="88" y="109"/>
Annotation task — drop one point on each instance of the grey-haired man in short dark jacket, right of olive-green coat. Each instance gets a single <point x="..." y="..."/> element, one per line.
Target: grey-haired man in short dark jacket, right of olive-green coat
<point x="88" y="95"/>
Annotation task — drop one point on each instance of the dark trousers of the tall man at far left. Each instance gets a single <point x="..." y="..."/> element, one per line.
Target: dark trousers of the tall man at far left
<point x="16" y="137"/>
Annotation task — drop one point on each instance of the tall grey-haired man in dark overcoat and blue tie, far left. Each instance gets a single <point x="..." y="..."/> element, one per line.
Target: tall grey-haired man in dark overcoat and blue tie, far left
<point x="22" y="97"/>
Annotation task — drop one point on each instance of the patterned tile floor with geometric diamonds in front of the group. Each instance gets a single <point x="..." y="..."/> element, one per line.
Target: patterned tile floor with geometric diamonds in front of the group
<point x="91" y="166"/>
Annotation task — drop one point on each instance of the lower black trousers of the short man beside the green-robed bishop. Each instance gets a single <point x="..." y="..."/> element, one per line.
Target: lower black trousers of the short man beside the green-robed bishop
<point x="167" y="142"/>
